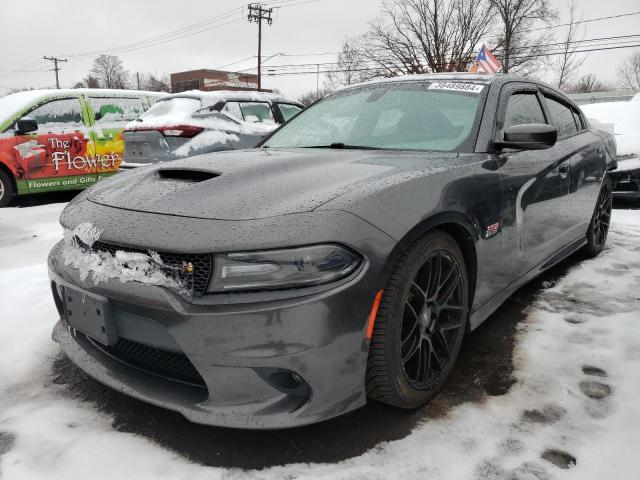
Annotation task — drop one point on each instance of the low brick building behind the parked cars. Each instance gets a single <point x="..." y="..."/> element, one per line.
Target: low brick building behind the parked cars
<point x="210" y="80"/>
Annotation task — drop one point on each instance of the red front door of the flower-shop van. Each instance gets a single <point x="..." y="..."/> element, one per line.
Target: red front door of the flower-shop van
<point x="56" y="156"/>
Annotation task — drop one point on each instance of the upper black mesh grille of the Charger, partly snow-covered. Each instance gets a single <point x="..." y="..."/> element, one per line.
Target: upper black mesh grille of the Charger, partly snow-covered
<point x="196" y="282"/>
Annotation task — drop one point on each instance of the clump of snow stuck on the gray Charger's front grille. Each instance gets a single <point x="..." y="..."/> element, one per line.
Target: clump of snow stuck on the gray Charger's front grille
<point x="122" y="266"/>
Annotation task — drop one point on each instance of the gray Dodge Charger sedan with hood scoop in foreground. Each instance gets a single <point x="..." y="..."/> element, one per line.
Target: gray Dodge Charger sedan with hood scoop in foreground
<point x="343" y="260"/>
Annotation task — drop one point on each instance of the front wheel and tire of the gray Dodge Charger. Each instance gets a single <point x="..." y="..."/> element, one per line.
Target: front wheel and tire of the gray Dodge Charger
<point x="420" y="323"/>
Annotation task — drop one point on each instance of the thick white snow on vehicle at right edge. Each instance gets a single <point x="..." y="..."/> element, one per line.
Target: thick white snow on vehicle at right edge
<point x="620" y="118"/>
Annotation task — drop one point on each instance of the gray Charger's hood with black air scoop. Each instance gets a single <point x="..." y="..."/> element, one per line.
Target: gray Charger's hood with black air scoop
<point x="253" y="184"/>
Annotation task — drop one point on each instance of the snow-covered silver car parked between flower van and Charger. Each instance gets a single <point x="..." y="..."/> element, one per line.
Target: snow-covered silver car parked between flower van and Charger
<point x="195" y="122"/>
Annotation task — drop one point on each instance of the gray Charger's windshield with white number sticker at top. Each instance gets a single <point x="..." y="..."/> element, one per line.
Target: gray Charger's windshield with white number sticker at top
<point x="411" y="116"/>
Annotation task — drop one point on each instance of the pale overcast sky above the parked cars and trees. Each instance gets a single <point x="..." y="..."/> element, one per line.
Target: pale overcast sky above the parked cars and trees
<point x="65" y="27"/>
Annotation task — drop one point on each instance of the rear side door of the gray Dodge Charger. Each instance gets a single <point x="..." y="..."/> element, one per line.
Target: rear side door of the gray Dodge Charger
<point x="587" y="163"/>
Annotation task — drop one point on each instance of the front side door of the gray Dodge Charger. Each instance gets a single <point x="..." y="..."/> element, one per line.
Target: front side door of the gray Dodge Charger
<point x="535" y="186"/>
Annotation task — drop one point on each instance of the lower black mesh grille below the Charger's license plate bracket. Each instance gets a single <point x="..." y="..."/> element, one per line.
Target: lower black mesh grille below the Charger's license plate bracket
<point x="165" y="363"/>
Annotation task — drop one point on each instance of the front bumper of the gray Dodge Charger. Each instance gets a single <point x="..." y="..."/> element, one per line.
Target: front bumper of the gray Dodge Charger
<point x="236" y="348"/>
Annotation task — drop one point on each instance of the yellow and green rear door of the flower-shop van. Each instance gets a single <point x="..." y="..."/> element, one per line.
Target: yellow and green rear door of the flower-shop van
<point x="109" y="116"/>
